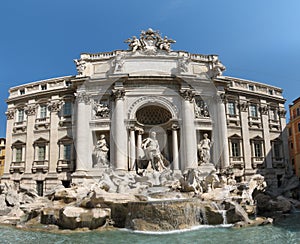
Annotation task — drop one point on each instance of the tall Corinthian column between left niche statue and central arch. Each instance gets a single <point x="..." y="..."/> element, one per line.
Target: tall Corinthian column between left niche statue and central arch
<point x="119" y="130"/>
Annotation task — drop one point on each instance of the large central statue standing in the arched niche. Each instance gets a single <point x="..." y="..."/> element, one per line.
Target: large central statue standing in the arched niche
<point x="152" y="152"/>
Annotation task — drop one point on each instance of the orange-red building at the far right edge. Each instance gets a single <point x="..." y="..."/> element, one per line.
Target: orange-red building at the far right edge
<point x="294" y="135"/>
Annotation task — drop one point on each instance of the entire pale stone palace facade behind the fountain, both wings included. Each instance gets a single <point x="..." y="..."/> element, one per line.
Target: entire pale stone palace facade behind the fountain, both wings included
<point x="71" y="128"/>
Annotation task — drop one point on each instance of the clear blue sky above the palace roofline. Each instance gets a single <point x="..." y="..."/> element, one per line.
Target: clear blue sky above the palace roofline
<point x="256" y="40"/>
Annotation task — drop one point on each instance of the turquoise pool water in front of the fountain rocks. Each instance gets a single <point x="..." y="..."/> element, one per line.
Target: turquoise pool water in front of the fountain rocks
<point x="284" y="231"/>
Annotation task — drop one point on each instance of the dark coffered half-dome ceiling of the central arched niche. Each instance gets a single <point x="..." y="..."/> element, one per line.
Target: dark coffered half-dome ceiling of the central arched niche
<point x="153" y="115"/>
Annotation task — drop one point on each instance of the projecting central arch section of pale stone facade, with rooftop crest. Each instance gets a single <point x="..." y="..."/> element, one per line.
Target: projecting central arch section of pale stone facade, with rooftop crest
<point x="125" y="96"/>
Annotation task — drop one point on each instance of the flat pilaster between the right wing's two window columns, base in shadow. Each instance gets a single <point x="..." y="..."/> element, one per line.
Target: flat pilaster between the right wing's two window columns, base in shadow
<point x="264" y="110"/>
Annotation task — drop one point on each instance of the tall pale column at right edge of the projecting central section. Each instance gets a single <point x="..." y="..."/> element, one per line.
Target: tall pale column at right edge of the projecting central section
<point x="223" y="132"/>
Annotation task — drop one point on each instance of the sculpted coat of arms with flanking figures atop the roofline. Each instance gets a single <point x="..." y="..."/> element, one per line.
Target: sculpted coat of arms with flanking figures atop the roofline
<point x="150" y="41"/>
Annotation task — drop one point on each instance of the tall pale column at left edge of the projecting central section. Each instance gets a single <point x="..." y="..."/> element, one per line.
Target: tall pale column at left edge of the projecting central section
<point x="82" y="130"/>
